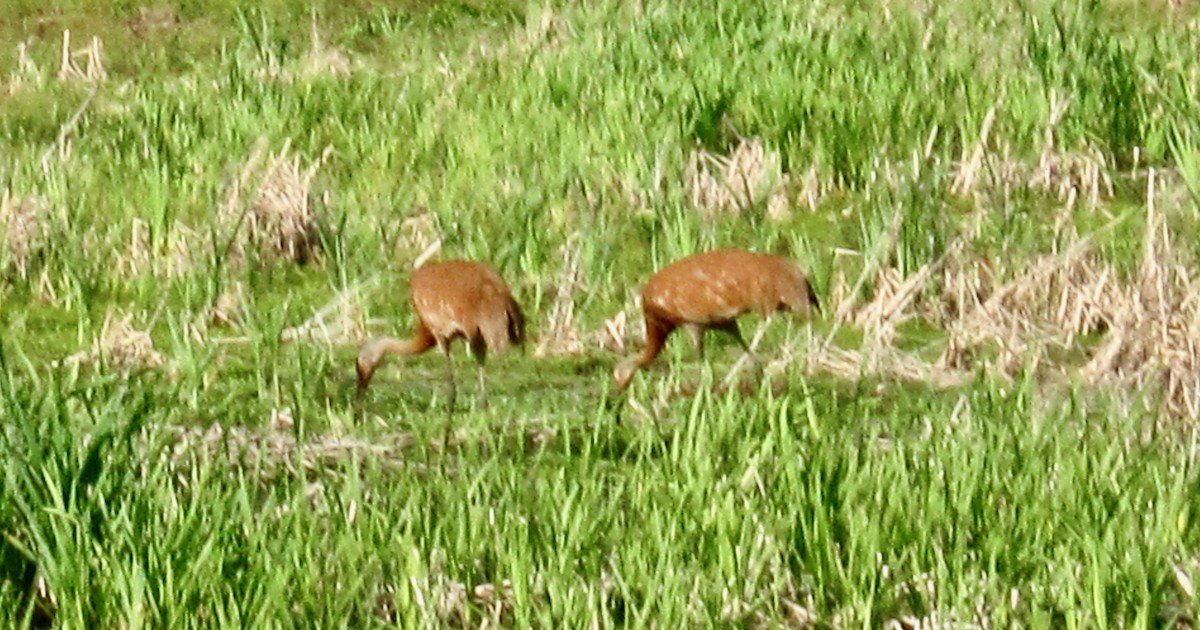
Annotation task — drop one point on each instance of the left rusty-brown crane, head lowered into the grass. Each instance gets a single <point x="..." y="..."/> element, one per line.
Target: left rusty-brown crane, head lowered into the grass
<point x="454" y="299"/>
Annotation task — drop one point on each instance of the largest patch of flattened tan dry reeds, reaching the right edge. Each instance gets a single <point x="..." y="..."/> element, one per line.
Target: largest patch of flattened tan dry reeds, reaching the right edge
<point x="1150" y="325"/>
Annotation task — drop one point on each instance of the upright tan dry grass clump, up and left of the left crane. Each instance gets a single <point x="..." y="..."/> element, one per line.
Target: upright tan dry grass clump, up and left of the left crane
<point x="279" y="221"/>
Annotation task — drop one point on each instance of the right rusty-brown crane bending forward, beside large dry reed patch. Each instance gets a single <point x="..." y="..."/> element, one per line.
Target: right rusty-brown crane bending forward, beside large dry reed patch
<point x="709" y="292"/>
